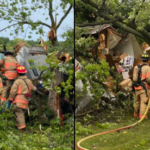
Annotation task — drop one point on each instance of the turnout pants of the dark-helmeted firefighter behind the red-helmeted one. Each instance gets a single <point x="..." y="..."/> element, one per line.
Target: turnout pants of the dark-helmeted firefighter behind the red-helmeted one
<point x="5" y="92"/>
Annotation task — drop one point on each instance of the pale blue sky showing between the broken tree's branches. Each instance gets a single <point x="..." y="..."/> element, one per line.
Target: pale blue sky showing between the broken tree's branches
<point x="66" y="24"/>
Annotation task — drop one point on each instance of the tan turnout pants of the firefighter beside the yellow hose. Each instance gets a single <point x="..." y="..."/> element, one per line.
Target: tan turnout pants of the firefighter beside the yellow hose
<point x="140" y="103"/>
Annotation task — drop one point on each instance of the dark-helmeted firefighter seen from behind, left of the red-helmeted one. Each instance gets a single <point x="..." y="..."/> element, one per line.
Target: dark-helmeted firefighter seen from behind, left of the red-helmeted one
<point x="8" y="65"/>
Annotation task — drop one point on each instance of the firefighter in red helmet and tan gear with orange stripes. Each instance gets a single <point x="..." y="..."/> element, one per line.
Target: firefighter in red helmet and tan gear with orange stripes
<point x="19" y="96"/>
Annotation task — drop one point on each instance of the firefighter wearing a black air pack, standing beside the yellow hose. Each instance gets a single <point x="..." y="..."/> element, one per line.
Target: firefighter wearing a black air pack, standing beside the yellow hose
<point x="141" y="78"/>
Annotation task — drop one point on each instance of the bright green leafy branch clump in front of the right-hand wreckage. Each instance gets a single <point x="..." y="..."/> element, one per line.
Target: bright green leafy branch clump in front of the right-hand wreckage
<point x="93" y="74"/>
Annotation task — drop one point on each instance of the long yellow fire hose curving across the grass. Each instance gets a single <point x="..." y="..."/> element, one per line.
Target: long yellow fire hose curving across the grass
<point x="110" y="131"/>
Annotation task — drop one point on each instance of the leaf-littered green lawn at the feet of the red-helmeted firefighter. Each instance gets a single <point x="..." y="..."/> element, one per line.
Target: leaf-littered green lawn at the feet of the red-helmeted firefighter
<point x="36" y="137"/>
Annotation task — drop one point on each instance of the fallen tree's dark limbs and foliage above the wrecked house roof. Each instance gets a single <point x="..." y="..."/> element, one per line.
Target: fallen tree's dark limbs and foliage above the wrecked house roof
<point x="129" y="16"/>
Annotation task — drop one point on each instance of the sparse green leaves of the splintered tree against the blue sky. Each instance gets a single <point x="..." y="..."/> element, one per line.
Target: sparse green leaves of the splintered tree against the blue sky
<point x="23" y="11"/>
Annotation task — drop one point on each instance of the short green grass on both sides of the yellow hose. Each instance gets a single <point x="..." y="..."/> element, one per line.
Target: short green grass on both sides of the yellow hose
<point x="137" y="138"/>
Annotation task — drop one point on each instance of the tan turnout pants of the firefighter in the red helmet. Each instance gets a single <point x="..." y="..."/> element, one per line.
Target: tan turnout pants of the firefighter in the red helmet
<point x="20" y="116"/>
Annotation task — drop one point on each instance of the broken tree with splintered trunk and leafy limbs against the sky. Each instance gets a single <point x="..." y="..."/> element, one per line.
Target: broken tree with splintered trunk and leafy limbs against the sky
<point x="19" y="13"/>
